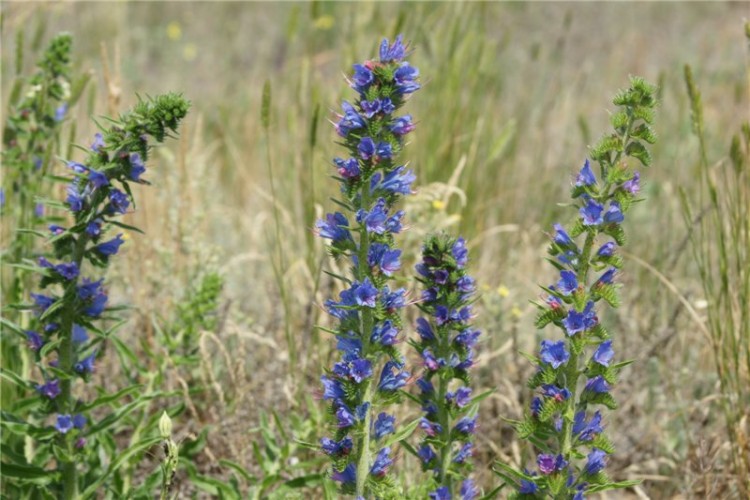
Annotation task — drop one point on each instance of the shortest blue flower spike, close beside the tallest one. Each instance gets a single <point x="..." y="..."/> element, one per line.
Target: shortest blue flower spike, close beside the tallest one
<point x="446" y="342"/>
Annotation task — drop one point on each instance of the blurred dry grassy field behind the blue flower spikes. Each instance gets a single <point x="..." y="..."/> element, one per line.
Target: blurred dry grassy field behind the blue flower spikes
<point x="512" y="96"/>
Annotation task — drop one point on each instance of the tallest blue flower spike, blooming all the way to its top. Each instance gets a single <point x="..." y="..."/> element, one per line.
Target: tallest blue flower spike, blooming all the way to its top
<point x="371" y="370"/>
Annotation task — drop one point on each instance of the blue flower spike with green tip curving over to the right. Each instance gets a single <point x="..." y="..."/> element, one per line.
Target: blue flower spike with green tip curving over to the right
<point x="65" y="351"/>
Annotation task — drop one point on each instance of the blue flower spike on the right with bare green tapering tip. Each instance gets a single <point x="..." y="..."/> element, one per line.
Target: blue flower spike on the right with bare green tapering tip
<point x="575" y="374"/>
